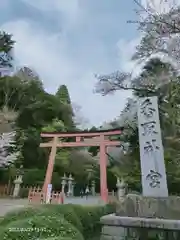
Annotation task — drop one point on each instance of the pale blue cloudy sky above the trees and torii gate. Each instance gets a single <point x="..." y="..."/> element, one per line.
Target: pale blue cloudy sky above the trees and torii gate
<point x="69" y="41"/>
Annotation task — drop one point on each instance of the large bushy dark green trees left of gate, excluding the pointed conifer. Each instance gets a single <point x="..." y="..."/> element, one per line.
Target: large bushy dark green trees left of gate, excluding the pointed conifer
<point x="36" y="111"/>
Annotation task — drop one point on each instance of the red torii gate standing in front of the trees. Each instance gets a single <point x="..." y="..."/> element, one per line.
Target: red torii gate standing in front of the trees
<point x="82" y="139"/>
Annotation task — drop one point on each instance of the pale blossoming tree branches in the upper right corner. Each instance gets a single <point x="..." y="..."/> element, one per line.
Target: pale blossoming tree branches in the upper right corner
<point x="160" y="34"/>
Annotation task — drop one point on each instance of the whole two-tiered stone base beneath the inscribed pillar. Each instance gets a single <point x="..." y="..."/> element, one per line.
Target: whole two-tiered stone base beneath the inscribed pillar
<point x="143" y="218"/>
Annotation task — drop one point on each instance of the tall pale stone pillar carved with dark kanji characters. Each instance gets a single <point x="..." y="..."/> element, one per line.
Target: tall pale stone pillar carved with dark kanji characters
<point x="153" y="172"/>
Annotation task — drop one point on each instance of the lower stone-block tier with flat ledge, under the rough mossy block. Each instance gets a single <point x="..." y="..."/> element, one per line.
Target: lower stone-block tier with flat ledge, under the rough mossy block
<point x="134" y="228"/>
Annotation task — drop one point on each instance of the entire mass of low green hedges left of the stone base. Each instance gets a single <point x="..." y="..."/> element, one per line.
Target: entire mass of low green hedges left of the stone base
<point x="54" y="222"/>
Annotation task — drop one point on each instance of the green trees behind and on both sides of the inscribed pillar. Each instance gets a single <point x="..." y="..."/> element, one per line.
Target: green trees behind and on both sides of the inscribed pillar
<point x="160" y="79"/>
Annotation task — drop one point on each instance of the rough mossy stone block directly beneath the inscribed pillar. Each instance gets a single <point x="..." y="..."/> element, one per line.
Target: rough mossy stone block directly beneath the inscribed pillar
<point x="138" y="206"/>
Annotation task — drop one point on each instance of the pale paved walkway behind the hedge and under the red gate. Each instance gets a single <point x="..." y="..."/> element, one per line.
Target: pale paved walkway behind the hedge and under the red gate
<point x="7" y="205"/>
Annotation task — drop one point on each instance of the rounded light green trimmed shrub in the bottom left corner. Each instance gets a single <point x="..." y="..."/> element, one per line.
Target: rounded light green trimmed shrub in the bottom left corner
<point x="40" y="227"/>
